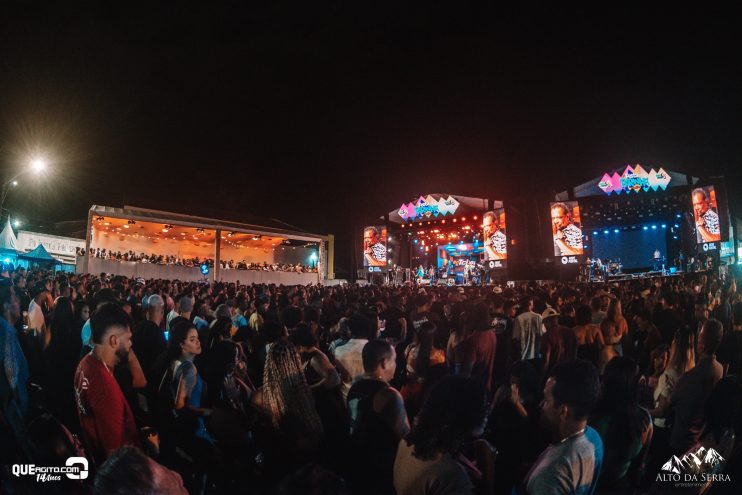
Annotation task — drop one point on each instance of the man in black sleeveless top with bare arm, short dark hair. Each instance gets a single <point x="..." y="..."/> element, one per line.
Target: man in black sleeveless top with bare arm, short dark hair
<point x="378" y="421"/>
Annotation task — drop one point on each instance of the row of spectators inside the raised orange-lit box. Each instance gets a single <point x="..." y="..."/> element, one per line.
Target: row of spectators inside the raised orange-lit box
<point x="160" y="259"/>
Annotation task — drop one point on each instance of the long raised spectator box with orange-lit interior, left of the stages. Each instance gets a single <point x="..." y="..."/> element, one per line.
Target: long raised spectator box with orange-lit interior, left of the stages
<point x="151" y="244"/>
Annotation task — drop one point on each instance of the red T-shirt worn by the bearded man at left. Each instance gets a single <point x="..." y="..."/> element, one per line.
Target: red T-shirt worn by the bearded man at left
<point x="105" y="417"/>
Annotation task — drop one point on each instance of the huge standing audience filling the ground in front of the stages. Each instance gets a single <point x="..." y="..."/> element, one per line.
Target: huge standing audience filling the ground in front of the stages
<point x="175" y="387"/>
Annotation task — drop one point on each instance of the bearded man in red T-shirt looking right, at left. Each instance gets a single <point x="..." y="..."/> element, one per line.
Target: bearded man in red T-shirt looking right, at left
<point x="105" y="416"/>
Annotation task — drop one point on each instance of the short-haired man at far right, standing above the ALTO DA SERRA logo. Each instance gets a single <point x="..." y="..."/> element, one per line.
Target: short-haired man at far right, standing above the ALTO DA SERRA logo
<point x="694" y="387"/>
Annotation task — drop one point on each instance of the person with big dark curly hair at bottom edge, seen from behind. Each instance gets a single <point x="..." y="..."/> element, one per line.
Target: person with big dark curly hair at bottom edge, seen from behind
<point x="427" y="460"/>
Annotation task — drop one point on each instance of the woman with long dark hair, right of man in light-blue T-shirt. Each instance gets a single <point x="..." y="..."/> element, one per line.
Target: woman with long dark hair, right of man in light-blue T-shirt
<point x="624" y="426"/>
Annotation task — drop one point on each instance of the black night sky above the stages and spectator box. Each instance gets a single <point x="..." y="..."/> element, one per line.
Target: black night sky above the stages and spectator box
<point x="327" y="115"/>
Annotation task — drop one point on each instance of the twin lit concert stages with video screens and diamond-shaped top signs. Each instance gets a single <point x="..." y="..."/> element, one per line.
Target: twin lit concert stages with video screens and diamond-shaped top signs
<point x="634" y="221"/>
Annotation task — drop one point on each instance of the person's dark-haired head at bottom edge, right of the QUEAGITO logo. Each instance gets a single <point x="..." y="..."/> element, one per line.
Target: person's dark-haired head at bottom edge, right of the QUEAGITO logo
<point x="129" y="471"/>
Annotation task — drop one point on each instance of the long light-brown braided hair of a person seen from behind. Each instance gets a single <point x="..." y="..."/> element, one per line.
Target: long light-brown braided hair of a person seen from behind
<point x="285" y="388"/>
